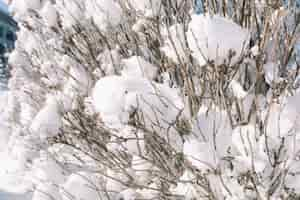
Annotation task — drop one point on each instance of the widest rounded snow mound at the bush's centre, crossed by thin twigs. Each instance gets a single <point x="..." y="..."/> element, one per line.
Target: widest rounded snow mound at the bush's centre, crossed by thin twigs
<point x="115" y="97"/>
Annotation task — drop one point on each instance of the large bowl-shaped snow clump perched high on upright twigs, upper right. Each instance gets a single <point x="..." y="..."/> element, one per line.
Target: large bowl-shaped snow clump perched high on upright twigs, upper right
<point x="211" y="38"/>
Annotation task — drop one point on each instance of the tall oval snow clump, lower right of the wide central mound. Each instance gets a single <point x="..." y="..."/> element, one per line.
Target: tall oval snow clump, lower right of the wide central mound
<point x="210" y="139"/>
